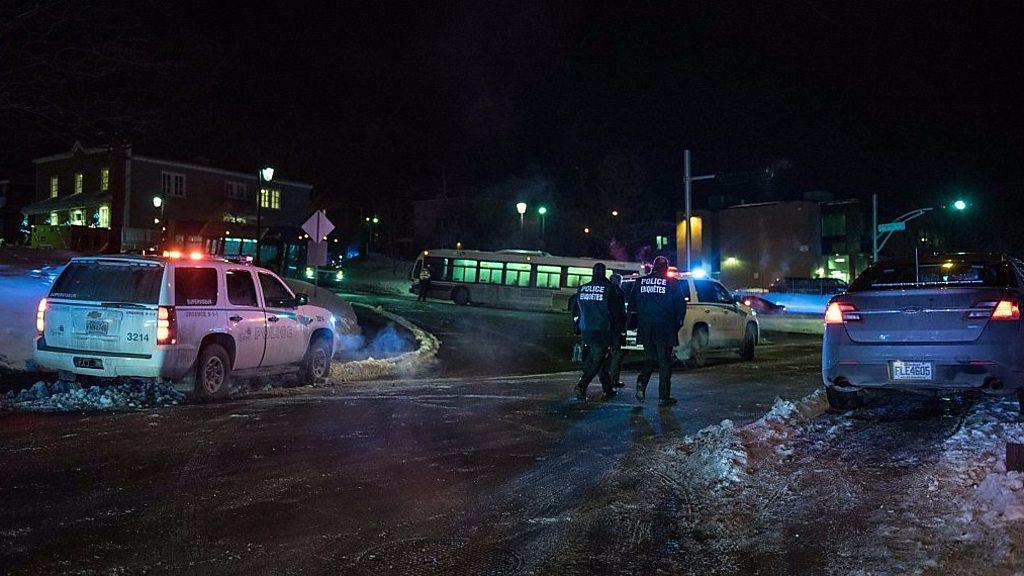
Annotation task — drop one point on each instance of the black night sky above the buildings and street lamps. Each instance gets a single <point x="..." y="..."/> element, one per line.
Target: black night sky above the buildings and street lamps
<point x="376" y="103"/>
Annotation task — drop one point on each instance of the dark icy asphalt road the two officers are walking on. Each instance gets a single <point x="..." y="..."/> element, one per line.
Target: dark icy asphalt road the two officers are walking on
<point x="464" y="475"/>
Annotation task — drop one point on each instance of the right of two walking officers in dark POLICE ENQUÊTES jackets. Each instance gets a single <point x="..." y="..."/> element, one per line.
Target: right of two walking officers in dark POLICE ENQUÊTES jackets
<point x="661" y="309"/>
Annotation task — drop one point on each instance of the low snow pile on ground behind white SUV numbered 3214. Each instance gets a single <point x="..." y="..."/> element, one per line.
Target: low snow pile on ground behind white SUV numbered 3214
<point x="67" y="397"/>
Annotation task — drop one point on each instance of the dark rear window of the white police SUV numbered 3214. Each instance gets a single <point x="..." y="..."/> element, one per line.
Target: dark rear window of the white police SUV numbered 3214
<point x="110" y="281"/>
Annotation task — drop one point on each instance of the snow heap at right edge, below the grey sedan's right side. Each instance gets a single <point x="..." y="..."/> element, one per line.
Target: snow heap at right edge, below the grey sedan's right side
<point x="976" y="457"/>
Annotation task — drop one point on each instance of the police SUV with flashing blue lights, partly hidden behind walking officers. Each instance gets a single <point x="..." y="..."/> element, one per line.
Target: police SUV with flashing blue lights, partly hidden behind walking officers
<point x="715" y="321"/>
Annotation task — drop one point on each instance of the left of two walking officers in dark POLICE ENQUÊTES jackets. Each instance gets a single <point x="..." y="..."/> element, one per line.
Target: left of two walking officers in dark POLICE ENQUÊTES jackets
<point x="602" y="316"/>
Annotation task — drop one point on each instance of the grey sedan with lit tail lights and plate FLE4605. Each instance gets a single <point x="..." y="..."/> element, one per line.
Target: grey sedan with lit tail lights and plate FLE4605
<point x="944" y="323"/>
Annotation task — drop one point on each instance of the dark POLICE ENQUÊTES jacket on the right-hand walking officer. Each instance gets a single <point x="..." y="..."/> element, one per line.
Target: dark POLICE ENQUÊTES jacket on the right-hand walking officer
<point x="661" y="309"/>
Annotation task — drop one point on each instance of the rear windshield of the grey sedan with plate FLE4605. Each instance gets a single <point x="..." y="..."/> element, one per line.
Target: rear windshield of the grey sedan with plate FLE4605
<point x="935" y="275"/>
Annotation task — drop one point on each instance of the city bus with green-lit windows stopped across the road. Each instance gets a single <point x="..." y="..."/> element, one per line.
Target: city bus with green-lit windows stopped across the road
<point x="511" y="279"/>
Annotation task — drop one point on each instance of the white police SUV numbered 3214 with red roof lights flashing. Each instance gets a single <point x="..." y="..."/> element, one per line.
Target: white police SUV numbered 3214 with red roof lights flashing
<point x="188" y="319"/>
